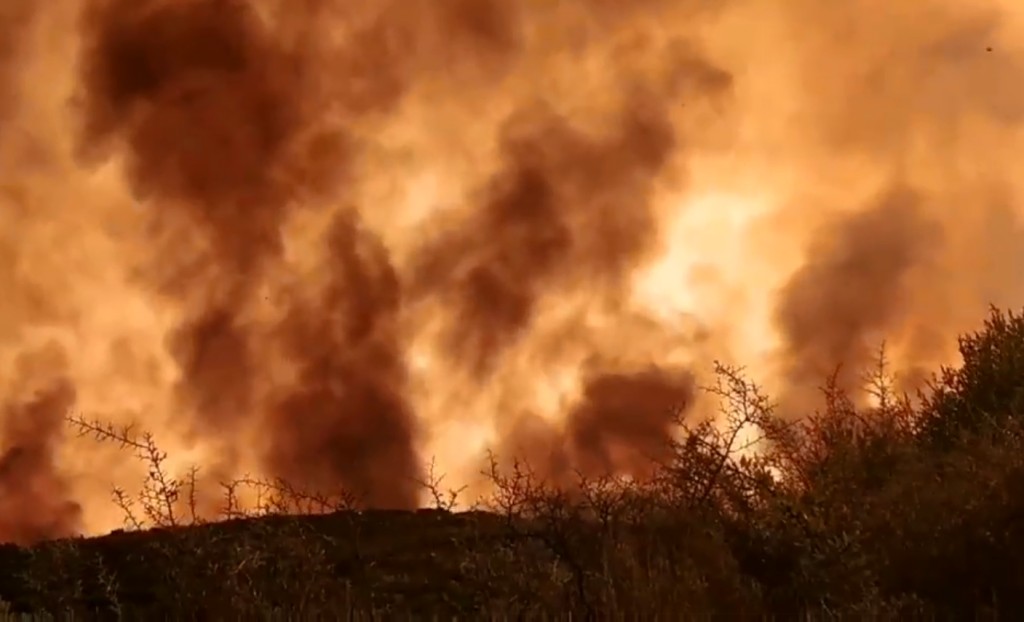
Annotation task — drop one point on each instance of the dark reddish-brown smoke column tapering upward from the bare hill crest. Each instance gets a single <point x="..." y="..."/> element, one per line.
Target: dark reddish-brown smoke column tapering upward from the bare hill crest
<point x="349" y="422"/>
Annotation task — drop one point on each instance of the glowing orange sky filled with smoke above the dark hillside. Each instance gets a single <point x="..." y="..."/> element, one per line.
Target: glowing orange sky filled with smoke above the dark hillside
<point x="329" y="241"/>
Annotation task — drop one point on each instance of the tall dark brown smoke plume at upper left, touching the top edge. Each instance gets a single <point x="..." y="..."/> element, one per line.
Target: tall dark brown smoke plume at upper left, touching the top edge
<point x="206" y="105"/>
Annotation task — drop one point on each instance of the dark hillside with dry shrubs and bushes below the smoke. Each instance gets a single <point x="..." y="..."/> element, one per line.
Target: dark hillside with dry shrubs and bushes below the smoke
<point x="910" y="510"/>
